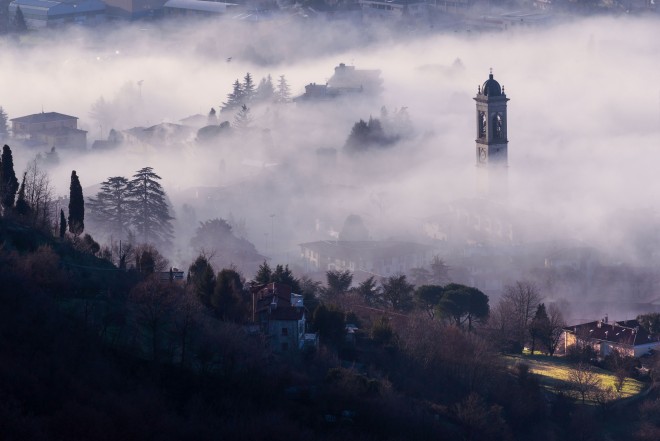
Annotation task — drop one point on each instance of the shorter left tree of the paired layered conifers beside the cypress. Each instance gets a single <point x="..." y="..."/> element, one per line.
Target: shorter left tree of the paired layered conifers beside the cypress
<point x="110" y="208"/>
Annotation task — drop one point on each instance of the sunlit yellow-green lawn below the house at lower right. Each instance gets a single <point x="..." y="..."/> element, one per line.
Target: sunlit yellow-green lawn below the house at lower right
<point x="554" y="373"/>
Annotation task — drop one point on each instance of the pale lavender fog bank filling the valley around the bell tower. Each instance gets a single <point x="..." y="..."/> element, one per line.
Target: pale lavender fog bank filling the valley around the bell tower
<point x="584" y="116"/>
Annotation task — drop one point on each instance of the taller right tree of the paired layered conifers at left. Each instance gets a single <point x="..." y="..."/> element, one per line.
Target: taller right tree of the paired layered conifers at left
<point x="148" y="208"/>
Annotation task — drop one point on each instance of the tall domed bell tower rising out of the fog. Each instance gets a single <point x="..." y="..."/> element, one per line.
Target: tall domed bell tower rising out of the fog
<point x="492" y="142"/>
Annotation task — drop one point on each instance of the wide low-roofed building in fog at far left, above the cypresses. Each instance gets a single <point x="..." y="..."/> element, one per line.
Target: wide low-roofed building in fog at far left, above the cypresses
<point x="50" y="129"/>
